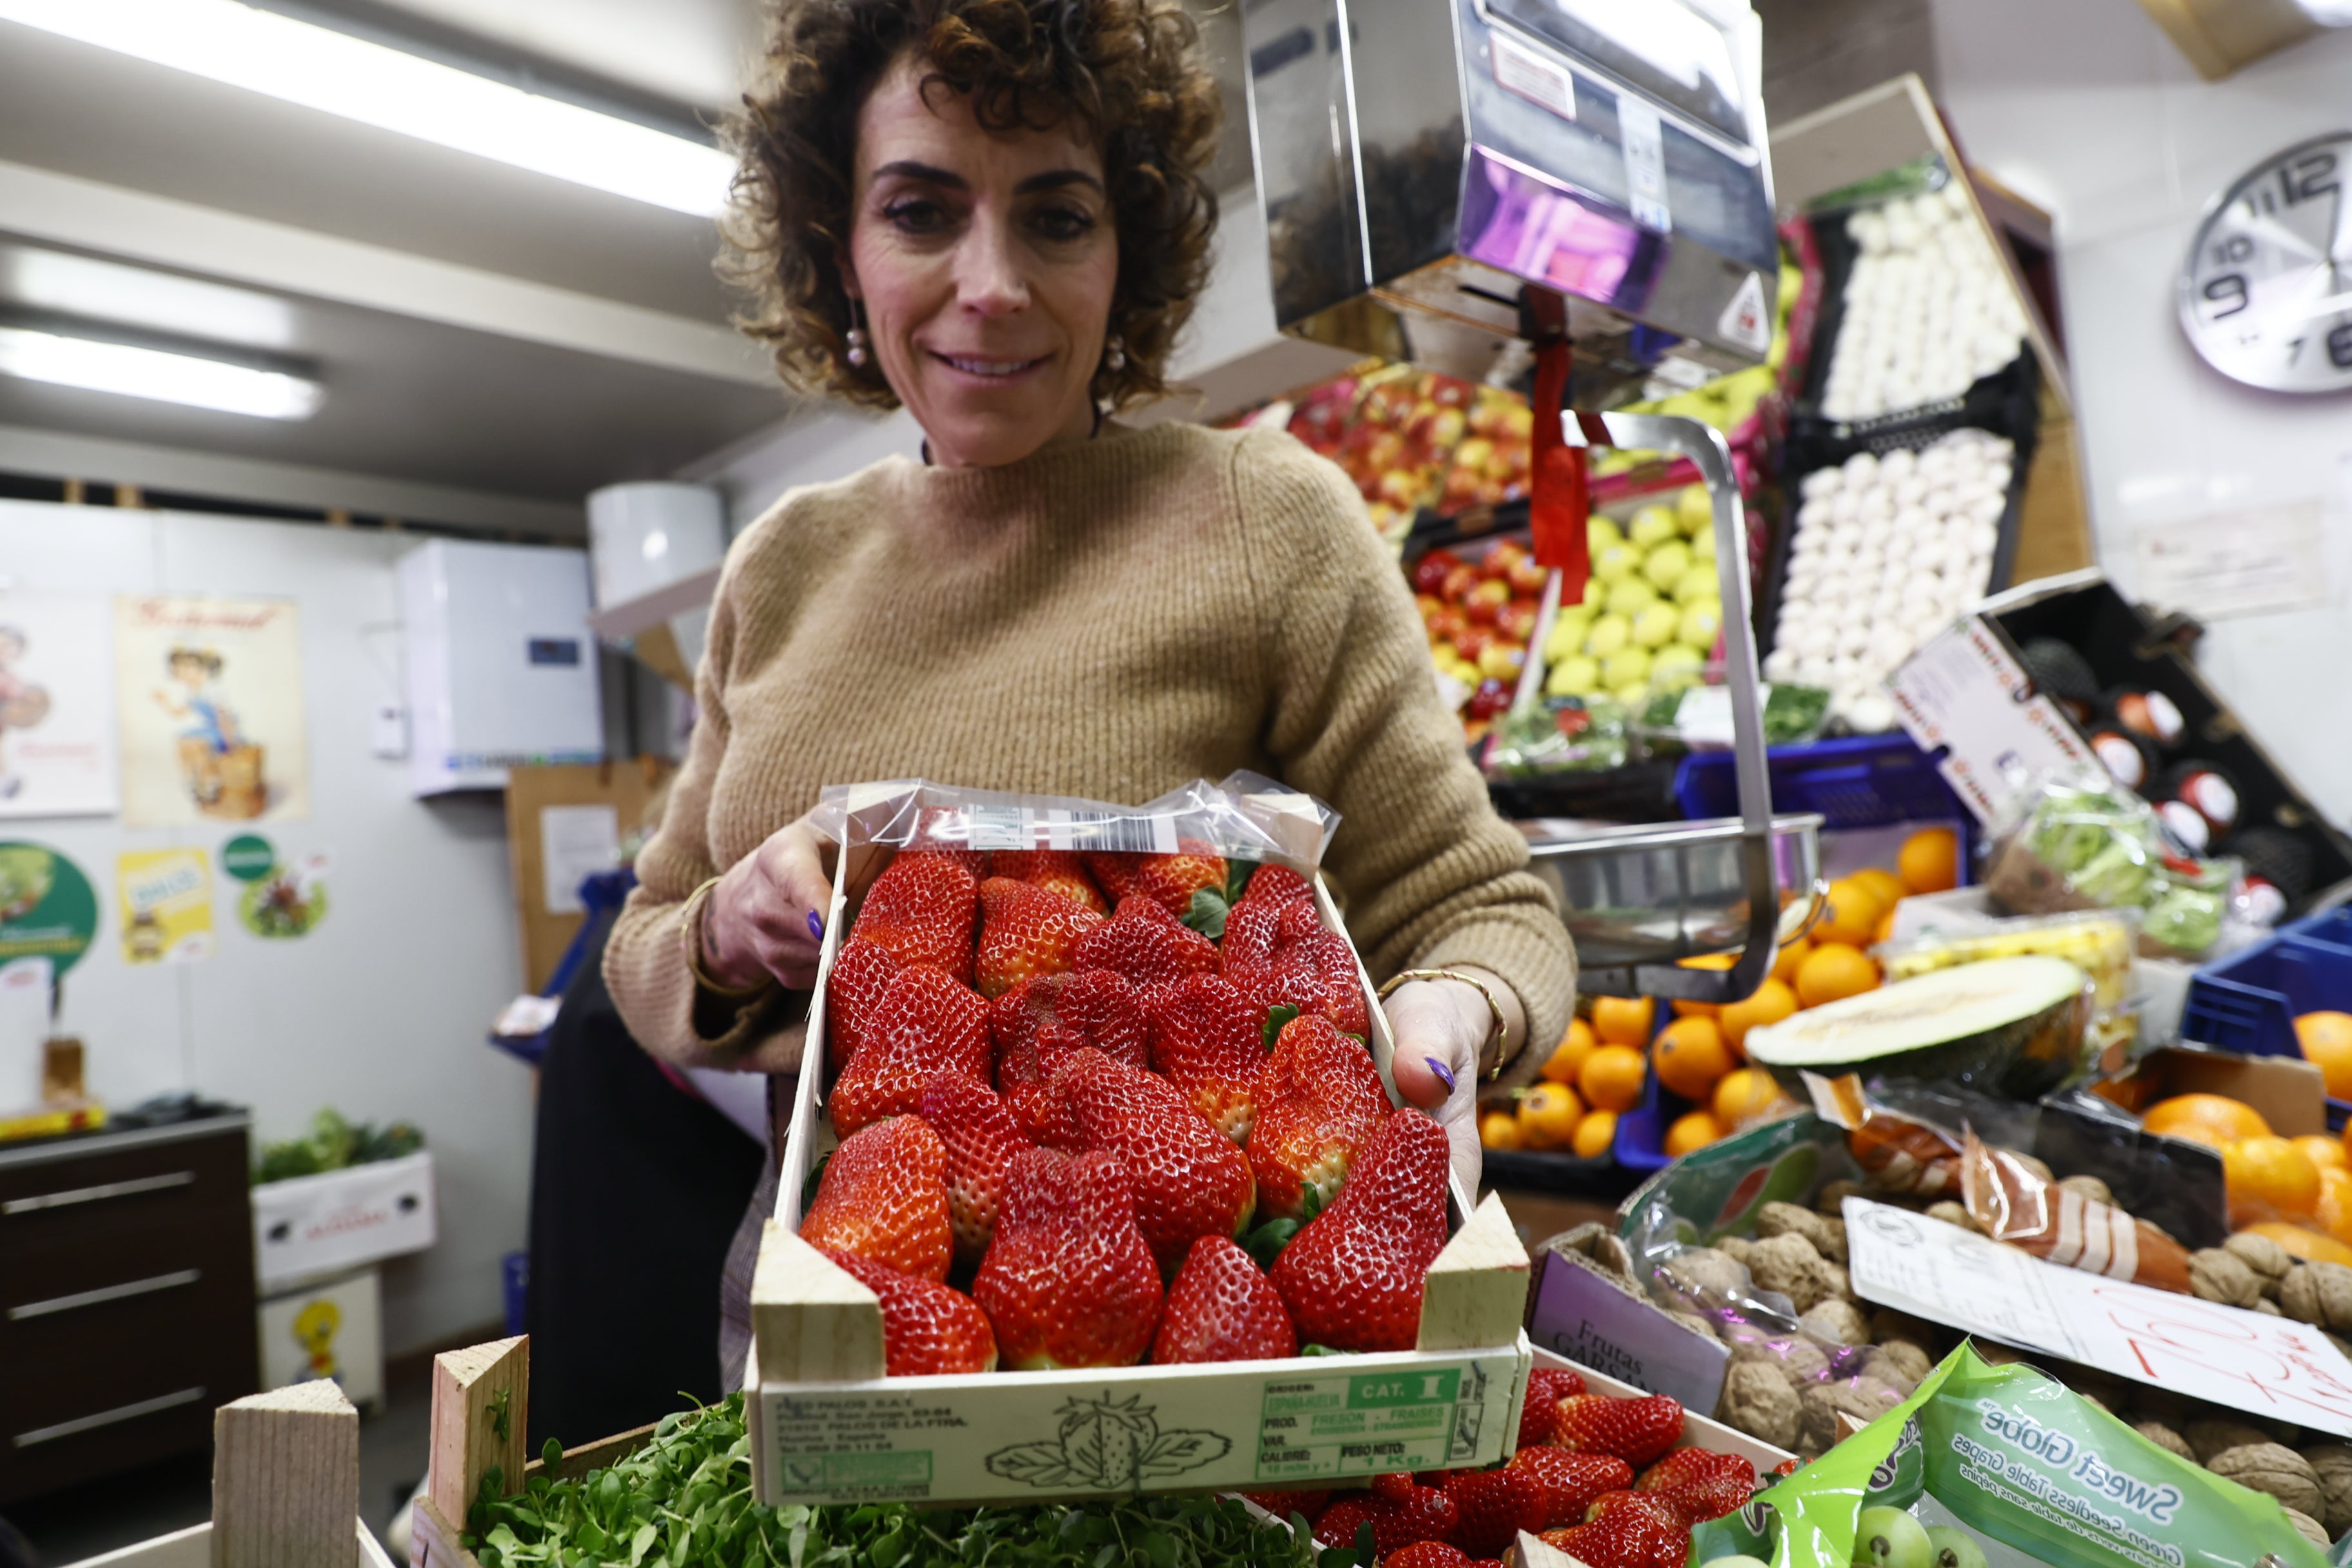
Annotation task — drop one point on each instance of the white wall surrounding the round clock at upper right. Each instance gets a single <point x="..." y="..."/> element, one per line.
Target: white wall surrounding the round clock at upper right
<point x="2085" y="107"/>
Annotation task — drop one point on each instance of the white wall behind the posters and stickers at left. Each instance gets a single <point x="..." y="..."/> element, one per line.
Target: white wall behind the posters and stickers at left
<point x="382" y="1010"/>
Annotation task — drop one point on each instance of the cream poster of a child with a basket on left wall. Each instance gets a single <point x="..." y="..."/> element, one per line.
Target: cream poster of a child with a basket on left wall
<point x="208" y="697"/>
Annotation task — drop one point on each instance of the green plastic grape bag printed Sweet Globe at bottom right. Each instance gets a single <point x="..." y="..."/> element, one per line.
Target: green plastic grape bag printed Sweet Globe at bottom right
<point x="2003" y="1466"/>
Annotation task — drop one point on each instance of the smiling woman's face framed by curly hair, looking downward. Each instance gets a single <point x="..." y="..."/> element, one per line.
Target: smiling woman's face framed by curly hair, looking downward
<point x="987" y="264"/>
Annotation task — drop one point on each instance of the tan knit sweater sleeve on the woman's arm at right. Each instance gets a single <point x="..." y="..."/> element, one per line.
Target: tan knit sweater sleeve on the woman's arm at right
<point x="1429" y="869"/>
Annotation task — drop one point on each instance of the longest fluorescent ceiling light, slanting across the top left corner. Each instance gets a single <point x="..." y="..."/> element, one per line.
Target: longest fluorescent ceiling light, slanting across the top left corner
<point x="399" y="93"/>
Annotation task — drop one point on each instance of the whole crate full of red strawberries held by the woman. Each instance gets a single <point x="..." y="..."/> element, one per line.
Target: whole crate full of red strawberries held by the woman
<point x="1097" y="1184"/>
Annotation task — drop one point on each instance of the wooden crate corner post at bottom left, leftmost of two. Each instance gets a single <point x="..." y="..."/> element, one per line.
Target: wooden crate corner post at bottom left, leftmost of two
<point x="286" y="1480"/>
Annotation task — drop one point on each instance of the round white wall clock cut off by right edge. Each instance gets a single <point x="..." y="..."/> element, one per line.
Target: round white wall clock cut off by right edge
<point x="2266" y="293"/>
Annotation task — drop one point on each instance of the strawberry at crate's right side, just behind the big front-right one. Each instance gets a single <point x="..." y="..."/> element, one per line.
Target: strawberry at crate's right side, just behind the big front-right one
<point x="1318" y="1099"/>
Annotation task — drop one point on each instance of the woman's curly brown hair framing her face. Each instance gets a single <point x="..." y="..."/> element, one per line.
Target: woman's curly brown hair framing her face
<point x="1125" y="74"/>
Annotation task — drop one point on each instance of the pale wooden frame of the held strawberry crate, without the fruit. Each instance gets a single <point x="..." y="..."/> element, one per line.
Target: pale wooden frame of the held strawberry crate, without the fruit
<point x="831" y="1428"/>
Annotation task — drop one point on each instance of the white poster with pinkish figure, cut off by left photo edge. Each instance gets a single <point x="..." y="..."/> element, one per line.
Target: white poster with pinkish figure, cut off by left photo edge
<point x="58" y="725"/>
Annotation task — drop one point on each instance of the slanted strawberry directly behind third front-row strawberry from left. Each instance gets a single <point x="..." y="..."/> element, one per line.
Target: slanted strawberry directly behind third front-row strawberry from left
<point x="1189" y="1181"/>
